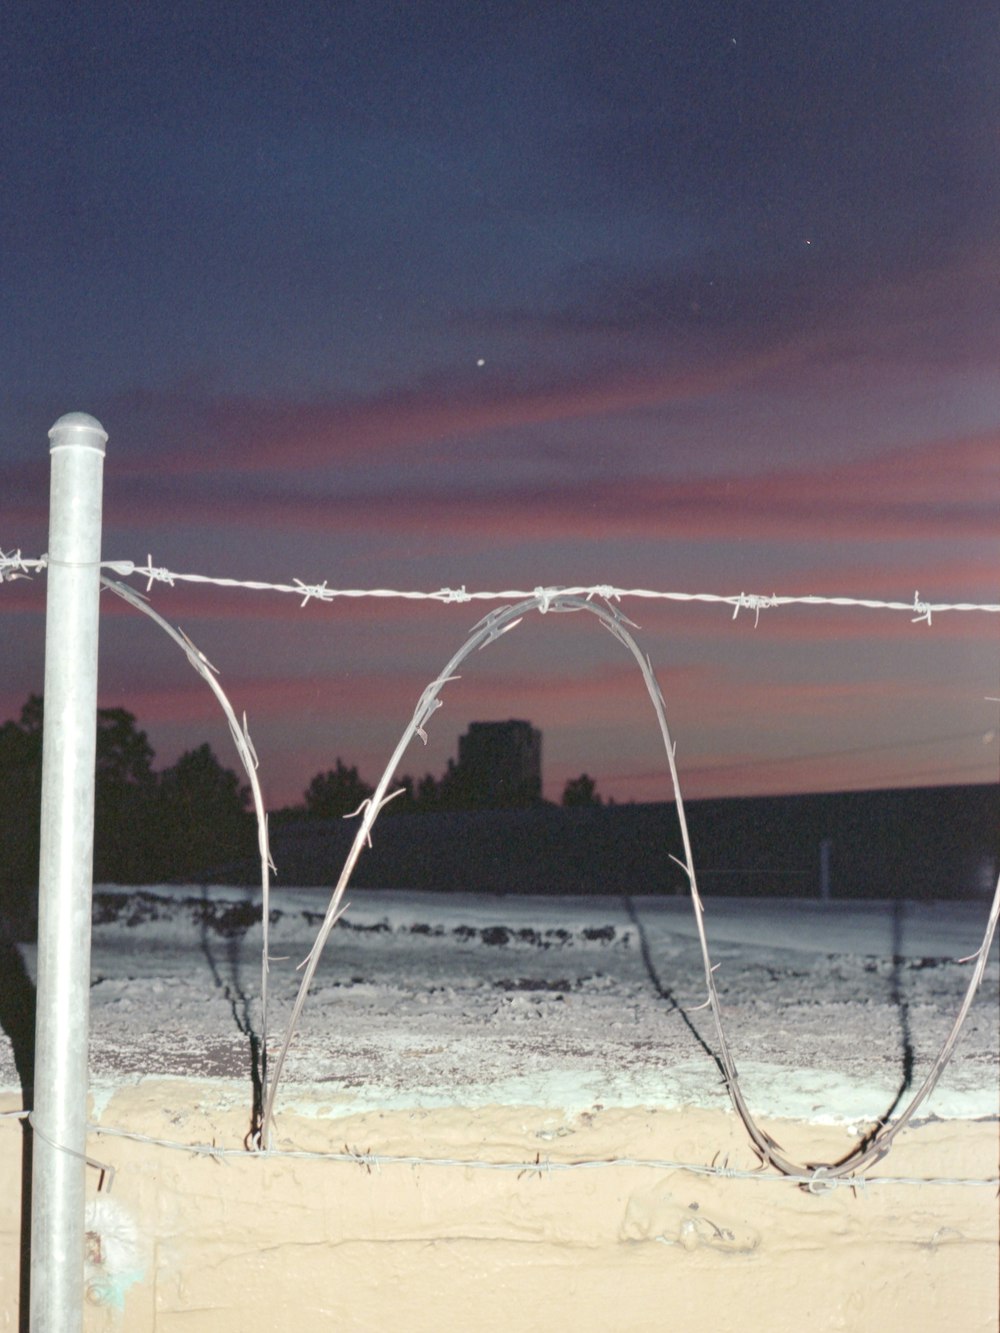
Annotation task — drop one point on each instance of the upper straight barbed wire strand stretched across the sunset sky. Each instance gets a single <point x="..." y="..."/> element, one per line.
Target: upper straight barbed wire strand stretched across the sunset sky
<point x="14" y="566"/>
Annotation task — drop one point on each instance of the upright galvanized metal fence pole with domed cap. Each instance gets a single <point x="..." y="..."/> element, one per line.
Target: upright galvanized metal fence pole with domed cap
<point x="66" y="876"/>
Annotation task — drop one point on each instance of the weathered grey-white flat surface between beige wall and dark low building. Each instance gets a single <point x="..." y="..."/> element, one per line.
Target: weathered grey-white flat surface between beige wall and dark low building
<point x="834" y="1011"/>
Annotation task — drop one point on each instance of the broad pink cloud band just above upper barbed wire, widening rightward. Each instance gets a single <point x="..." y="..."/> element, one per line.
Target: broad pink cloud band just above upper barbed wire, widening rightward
<point x="943" y="490"/>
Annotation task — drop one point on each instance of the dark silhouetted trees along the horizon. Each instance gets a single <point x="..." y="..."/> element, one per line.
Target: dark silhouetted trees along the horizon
<point x="189" y="822"/>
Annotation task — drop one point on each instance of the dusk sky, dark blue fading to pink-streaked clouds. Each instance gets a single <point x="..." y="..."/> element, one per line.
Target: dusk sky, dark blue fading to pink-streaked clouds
<point x="389" y="295"/>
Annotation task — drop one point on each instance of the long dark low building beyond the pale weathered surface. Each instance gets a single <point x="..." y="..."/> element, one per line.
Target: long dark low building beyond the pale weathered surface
<point x="925" y="843"/>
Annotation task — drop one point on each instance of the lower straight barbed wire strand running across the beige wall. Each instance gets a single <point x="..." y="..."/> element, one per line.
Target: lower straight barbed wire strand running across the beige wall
<point x="815" y="1182"/>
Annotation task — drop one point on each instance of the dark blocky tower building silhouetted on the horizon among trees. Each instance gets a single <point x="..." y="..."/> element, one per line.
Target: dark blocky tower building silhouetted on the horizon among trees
<point x="501" y="764"/>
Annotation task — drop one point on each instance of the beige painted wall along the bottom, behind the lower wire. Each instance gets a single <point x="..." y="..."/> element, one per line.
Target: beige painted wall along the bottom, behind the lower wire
<point x="274" y="1243"/>
